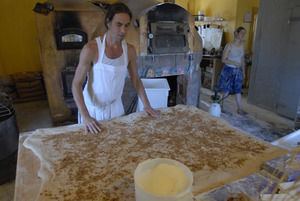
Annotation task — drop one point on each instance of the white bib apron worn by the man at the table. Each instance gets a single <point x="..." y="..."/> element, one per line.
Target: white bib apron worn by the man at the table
<point x="103" y="91"/>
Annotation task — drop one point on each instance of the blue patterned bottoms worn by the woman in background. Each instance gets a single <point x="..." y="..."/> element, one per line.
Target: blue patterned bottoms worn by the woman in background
<point x="231" y="80"/>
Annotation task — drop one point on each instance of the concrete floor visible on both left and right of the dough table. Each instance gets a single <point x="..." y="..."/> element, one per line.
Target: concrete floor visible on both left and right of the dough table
<point x="259" y="122"/>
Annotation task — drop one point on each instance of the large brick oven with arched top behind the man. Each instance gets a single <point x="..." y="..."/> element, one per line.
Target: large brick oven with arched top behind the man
<point x="164" y="36"/>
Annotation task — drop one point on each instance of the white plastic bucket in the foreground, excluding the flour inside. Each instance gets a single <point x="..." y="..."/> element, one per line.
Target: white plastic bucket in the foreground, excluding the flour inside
<point x="142" y="195"/>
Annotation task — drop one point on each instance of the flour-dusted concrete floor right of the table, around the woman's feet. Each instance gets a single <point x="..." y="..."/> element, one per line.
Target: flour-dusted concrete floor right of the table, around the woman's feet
<point x="259" y="122"/>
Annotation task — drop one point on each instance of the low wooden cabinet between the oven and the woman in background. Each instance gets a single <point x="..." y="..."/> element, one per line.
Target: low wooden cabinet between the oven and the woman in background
<point x="211" y="69"/>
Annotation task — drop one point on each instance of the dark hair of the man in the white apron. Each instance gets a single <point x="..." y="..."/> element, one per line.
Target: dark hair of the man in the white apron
<point x="115" y="9"/>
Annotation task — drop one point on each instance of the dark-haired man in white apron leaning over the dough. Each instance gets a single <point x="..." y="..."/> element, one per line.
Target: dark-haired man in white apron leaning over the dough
<point x="111" y="57"/>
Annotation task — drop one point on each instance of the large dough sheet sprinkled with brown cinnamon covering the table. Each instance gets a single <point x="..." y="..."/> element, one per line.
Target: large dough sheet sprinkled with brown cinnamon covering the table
<point x="78" y="166"/>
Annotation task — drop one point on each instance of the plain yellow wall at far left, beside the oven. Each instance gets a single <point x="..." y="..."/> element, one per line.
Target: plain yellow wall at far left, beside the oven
<point x="19" y="49"/>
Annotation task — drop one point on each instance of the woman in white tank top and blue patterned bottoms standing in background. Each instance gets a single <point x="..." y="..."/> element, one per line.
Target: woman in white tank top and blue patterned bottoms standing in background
<point x="233" y="71"/>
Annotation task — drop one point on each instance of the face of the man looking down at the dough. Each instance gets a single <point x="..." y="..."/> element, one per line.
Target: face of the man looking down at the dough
<point x="119" y="26"/>
